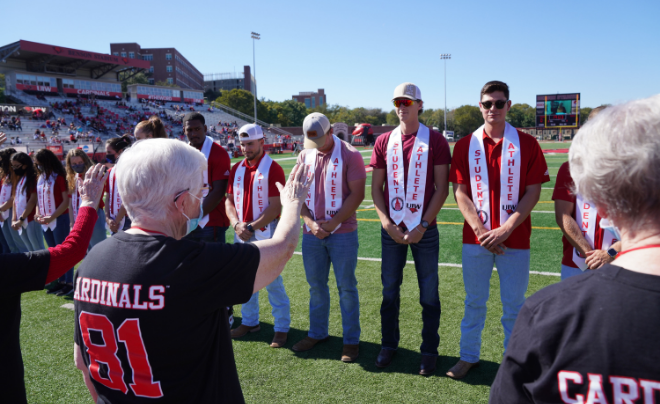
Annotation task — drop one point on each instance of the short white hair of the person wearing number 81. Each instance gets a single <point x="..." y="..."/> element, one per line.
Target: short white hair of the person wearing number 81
<point x="153" y="171"/>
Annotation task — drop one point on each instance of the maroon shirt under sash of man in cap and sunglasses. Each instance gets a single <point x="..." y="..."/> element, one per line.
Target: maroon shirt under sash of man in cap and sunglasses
<point x="439" y="154"/>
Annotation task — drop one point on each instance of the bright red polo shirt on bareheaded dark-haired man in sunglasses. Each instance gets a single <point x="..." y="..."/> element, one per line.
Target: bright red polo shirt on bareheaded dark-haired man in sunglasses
<point x="534" y="170"/>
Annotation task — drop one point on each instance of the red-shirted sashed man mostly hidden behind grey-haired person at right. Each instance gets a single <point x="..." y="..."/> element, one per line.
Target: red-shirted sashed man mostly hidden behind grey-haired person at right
<point x="587" y="245"/>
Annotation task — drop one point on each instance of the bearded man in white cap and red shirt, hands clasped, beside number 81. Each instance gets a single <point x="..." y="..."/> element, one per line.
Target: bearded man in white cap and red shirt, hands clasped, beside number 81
<point x="253" y="207"/>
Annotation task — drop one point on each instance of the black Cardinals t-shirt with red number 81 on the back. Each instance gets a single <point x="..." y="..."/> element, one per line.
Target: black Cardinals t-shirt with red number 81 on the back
<point x="151" y="318"/>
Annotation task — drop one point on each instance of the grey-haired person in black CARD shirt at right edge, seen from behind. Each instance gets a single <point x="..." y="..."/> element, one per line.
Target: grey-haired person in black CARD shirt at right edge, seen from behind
<point x="593" y="337"/>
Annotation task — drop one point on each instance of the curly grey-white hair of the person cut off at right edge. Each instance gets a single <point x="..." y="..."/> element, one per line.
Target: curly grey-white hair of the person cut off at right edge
<point x="615" y="163"/>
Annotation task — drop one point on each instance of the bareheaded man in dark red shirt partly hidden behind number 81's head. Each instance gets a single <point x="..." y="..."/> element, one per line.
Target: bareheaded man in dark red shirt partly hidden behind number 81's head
<point x="213" y="226"/>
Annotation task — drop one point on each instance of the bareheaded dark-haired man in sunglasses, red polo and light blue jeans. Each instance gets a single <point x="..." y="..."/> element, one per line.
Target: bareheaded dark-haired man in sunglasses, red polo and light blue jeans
<point x="497" y="174"/>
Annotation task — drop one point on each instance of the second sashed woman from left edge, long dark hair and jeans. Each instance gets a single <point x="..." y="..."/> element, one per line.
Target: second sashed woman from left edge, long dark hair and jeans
<point x="25" y="201"/>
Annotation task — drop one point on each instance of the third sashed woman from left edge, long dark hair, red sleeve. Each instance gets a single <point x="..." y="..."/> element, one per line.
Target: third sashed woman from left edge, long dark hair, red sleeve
<point x="52" y="209"/>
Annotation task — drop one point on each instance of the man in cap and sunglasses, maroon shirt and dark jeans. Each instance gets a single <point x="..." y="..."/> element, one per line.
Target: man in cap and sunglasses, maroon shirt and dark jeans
<point x="409" y="186"/>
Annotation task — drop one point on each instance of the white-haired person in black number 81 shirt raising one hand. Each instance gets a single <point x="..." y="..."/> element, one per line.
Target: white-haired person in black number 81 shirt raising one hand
<point x="163" y="298"/>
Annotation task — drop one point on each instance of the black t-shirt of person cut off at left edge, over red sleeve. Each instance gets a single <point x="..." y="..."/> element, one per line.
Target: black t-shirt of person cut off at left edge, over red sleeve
<point x="19" y="273"/>
